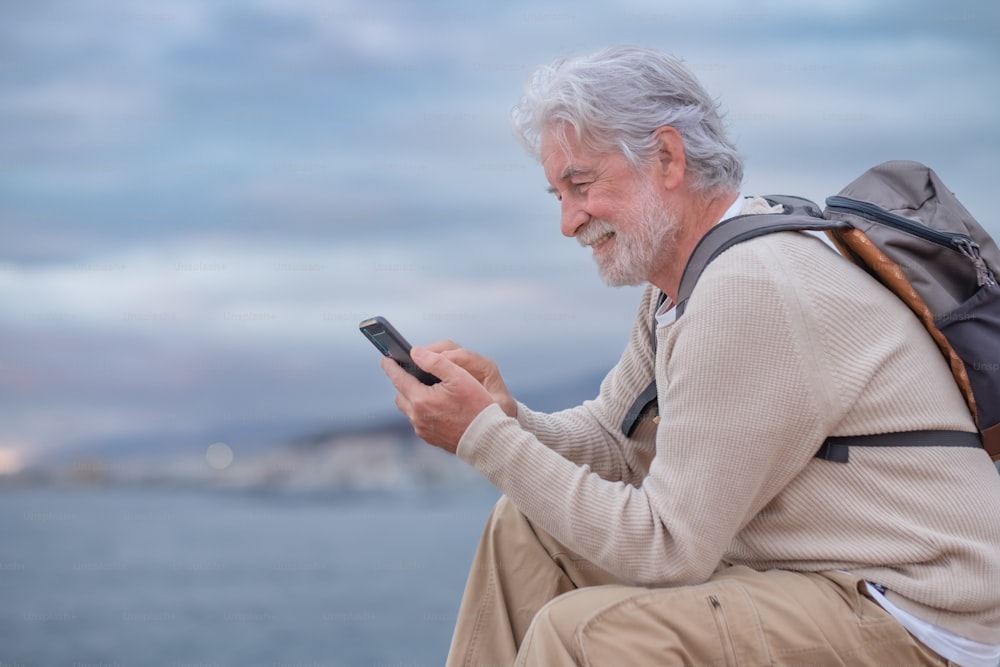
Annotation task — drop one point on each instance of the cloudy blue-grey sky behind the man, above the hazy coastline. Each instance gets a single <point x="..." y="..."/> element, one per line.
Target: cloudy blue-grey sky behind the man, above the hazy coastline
<point x="199" y="201"/>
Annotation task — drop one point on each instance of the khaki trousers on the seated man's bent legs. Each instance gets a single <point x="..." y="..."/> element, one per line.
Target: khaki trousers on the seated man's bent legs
<point x="529" y="601"/>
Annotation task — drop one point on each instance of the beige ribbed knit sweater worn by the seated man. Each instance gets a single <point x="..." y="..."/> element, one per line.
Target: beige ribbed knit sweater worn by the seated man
<point x="782" y="344"/>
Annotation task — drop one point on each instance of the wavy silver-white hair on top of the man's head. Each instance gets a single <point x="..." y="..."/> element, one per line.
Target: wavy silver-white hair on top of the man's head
<point x="616" y="98"/>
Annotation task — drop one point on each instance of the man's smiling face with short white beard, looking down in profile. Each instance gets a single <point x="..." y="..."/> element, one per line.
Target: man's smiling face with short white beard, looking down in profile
<point x="609" y="206"/>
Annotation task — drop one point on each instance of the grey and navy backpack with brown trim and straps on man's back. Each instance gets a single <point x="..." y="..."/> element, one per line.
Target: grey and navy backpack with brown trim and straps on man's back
<point x="904" y="227"/>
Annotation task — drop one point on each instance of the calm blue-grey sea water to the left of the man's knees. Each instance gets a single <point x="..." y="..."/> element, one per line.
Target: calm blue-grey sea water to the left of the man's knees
<point x="185" y="578"/>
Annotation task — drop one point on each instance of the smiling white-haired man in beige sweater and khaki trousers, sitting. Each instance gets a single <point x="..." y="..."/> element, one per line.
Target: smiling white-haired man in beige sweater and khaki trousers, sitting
<point x="712" y="534"/>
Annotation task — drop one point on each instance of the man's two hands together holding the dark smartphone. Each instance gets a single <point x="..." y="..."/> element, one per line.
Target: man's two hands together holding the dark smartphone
<point x="441" y="413"/>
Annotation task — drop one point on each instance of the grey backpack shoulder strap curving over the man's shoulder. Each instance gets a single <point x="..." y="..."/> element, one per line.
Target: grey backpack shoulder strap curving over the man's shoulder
<point x="799" y="215"/>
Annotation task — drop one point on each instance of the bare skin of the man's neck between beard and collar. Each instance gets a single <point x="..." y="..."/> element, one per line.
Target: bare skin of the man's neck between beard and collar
<point x="695" y="216"/>
